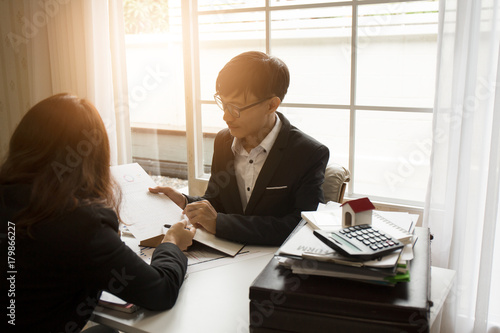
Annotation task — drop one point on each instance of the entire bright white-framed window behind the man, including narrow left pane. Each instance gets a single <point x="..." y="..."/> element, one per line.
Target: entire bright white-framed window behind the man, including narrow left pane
<point x="362" y="81"/>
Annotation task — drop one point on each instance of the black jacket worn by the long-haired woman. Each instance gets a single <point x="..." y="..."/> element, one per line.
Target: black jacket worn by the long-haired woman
<point x="62" y="271"/>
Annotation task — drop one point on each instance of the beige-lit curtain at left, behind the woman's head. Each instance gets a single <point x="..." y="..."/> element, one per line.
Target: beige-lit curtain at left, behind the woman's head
<point x="74" y="46"/>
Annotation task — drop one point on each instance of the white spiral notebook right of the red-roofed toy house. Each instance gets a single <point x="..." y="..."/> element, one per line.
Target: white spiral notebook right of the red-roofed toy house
<point x="398" y="225"/>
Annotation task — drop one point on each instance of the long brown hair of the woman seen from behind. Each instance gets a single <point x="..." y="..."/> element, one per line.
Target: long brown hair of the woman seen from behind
<point x="61" y="149"/>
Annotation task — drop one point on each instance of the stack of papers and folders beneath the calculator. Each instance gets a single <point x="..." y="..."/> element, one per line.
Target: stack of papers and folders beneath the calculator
<point x="304" y="253"/>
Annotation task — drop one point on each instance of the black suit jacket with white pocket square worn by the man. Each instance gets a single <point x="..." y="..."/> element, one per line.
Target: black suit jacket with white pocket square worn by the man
<point x="290" y="182"/>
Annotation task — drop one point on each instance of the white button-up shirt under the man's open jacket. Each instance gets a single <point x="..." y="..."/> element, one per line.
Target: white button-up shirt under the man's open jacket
<point x="247" y="165"/>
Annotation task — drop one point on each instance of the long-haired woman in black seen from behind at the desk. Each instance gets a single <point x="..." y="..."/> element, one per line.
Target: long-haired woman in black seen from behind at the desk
<point x="59" y="210"/>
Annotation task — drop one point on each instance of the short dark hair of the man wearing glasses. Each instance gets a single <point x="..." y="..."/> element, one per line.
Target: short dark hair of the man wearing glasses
<point x="254" y="72"/>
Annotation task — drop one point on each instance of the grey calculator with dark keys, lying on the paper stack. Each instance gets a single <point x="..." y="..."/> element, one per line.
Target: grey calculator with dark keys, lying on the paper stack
<point x="360" y="242"/>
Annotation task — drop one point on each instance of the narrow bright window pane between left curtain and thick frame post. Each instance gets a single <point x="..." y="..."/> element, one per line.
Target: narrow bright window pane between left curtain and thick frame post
<point x="153" y="33"/>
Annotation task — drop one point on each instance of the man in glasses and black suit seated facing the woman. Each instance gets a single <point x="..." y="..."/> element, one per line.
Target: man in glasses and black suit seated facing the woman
<point x="264" y="171"/>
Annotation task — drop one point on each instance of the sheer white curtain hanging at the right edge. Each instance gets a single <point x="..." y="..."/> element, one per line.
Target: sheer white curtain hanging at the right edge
<point x="462" y="207"/>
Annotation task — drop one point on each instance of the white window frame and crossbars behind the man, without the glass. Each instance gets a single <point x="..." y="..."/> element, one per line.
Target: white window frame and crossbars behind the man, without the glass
<point x="198" y="179"/>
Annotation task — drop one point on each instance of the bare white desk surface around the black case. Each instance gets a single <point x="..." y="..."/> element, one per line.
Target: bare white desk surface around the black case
<point x="217" y="300"/>
